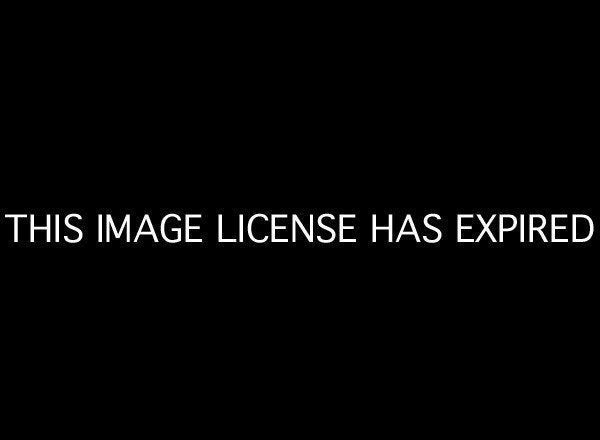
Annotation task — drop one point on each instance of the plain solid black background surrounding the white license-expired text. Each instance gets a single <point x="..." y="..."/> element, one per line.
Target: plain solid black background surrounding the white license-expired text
<point x="368" y="113"/>
